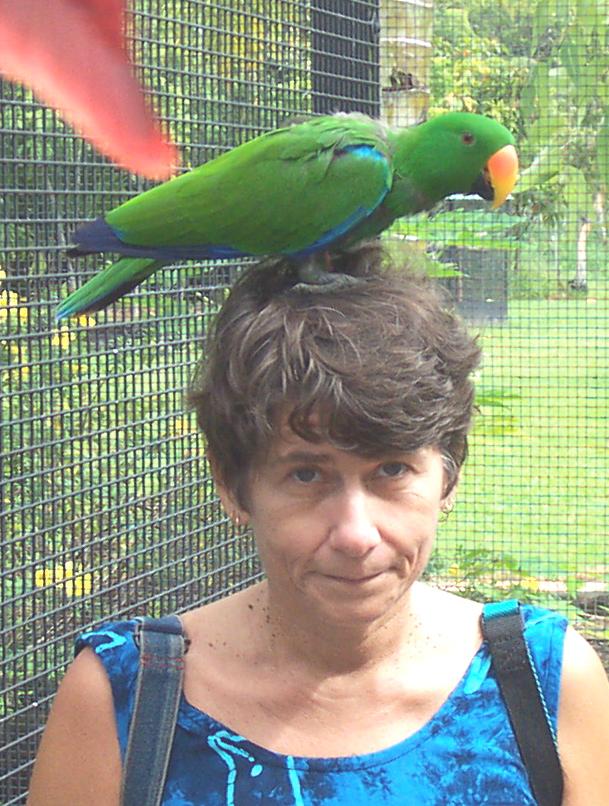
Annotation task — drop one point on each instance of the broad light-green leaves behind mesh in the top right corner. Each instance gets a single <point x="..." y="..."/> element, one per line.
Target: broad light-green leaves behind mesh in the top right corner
<point x="564" y="109"/>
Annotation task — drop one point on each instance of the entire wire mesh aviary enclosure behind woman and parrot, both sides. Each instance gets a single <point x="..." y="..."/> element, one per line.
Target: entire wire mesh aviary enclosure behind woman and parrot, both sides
<point x="107" y="507"/>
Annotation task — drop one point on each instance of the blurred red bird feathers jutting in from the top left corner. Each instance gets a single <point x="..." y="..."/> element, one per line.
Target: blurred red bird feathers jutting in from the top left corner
<point x="72" y="54"/>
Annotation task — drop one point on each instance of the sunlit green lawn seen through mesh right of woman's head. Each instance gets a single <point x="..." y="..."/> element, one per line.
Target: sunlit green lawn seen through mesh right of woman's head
<point x="535" y="484"/>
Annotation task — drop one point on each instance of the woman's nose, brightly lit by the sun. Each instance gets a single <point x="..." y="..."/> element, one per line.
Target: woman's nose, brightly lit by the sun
<point x="353" y="528"/>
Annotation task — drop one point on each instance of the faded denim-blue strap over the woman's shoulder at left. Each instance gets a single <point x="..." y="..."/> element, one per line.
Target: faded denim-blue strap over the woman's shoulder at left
<point x="157" y="697"/>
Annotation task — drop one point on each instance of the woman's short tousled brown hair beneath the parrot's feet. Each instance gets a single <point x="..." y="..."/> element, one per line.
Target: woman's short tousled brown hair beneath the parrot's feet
<point x="384" y="362"/>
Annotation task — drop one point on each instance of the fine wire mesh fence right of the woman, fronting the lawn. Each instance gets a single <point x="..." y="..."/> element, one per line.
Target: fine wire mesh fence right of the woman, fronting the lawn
<point x="531" y="519"/>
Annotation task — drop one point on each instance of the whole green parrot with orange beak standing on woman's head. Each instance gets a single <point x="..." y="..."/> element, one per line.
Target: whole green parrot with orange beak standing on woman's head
<point x="303" y="191"/>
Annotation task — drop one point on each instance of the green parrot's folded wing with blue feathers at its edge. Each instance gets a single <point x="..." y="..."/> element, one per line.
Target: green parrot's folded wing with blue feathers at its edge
<point x="279" y="193"/>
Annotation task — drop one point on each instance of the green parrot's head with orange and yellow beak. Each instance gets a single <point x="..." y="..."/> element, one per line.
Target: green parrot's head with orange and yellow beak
<point x="458" y="152"/>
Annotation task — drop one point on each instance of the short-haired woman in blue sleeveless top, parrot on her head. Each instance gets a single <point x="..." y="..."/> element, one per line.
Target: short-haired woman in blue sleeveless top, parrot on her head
<point x="336" y="426"/>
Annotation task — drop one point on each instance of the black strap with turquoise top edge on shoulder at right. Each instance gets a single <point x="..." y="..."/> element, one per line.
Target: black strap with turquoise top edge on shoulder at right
<point x="502" y="627"/>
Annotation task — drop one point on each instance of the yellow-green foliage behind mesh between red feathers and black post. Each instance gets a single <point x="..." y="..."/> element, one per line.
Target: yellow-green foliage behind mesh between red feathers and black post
<point x="216" y="74"/>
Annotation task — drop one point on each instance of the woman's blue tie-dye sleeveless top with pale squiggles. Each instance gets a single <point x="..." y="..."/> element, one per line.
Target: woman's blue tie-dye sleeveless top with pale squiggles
<point x="466" y="753"/>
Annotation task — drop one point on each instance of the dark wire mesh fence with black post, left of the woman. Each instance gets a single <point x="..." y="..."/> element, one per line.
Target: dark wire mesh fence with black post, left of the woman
<point x="107" y="503"/>
